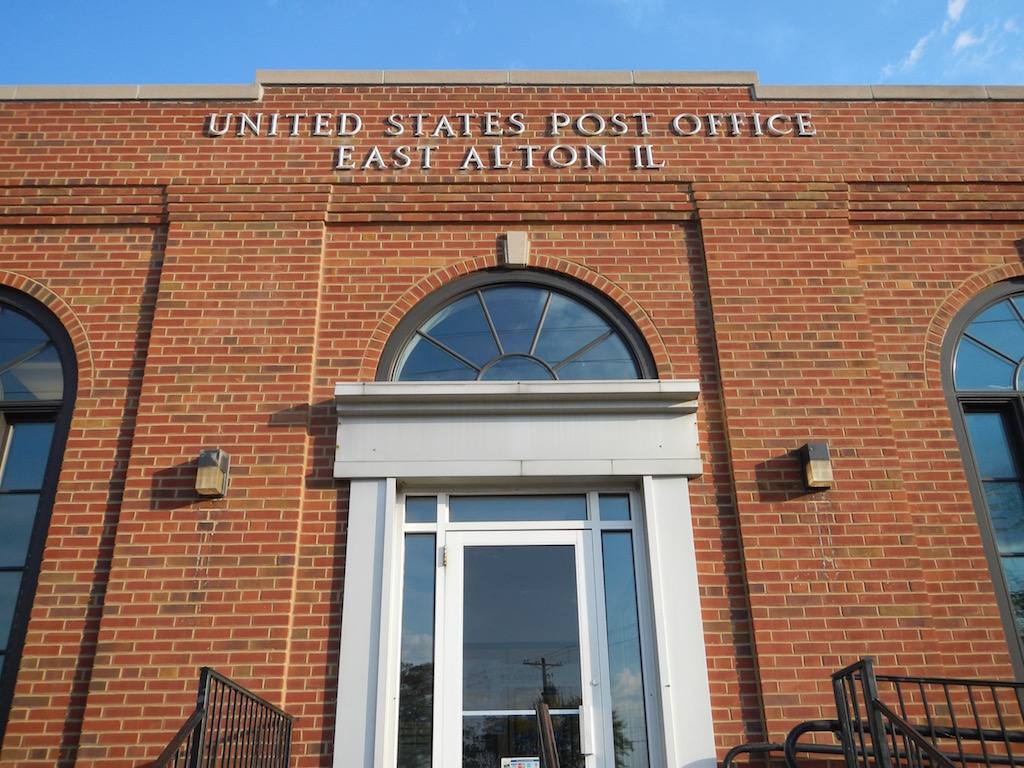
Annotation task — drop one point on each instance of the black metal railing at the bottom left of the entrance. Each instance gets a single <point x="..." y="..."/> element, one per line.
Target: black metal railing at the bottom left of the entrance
<point x="231" y="729"/>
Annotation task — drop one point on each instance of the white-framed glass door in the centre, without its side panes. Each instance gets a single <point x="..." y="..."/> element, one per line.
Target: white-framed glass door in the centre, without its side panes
<point x="523" y="633"/>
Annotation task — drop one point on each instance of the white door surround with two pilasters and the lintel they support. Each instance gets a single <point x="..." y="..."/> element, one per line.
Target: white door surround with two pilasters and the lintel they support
<point x="514" y="436"/>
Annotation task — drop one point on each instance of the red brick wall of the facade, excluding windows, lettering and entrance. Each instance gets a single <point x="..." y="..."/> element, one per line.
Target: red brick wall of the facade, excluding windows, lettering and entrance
<point x="218" y="288"/>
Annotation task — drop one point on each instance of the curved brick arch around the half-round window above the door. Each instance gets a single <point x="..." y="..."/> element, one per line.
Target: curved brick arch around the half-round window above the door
<point x="435" y="281"/>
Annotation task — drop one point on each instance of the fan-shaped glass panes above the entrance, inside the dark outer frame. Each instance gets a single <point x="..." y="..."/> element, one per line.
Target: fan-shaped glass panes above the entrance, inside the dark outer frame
<point x="518" y="332"/>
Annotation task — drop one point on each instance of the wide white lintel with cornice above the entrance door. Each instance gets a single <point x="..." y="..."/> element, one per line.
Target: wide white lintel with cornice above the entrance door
<point x="518" y="430"/>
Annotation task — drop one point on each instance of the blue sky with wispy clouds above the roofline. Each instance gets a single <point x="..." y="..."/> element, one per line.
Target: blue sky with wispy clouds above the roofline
<point x="787" y="42"/>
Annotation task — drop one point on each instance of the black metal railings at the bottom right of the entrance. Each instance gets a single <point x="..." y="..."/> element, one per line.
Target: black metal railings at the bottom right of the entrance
<point x="895" y="721"/>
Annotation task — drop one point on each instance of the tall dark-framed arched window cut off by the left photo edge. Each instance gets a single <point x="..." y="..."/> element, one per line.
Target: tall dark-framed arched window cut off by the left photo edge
<point x="37" y="392"/>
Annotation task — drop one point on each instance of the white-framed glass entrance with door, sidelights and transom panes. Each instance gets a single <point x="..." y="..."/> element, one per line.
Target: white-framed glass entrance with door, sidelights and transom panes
<point x="522" y="618"/>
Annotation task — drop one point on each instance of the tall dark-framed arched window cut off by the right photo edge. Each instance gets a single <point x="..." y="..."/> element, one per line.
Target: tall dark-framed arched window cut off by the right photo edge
<point x="984" y="363"/>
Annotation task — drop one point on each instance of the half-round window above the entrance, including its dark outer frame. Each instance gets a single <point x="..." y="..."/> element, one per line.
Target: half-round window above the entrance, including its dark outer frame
<point x="516" y="326"/>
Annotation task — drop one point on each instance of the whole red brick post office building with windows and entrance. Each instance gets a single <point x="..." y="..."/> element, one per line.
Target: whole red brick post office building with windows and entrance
<point x="514" y="371"/>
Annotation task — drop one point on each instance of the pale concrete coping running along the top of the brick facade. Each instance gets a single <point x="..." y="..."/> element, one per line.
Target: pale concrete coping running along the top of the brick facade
<point x="328" y="78"/>
